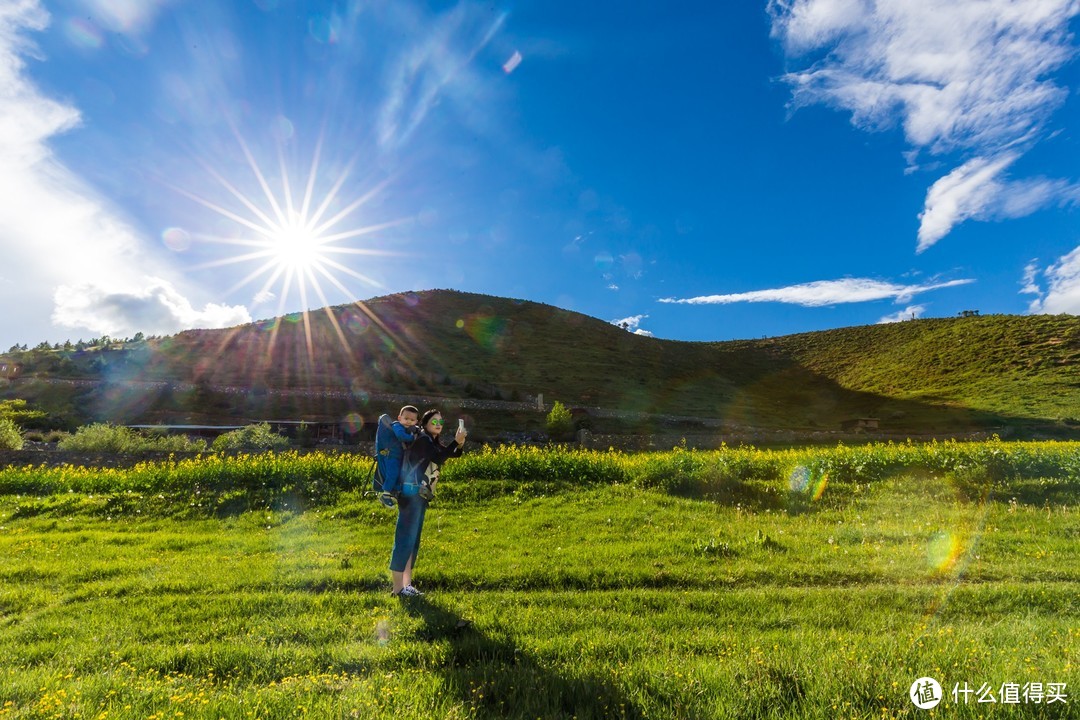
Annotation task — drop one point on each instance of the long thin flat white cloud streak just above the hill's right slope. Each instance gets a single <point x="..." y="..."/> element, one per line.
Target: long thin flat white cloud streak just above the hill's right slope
<point x="826" y="293"/>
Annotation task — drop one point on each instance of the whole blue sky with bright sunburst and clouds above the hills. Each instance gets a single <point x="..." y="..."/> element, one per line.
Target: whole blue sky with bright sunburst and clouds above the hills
<point x="701" y="172"/>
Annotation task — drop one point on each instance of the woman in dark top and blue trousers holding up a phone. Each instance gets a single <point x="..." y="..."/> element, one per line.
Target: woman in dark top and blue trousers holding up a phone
<point x="420" y="476"/>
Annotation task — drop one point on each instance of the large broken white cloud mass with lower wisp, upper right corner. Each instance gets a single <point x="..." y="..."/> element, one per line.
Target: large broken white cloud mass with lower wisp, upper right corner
<point x="973" y="77"/>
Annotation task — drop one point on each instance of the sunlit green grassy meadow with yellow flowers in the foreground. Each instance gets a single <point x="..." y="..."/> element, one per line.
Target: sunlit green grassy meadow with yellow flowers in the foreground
<point x="740" y="583"/>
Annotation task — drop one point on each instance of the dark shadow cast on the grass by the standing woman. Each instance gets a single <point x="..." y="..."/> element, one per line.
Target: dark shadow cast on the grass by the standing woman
<point x="497" y="680"/>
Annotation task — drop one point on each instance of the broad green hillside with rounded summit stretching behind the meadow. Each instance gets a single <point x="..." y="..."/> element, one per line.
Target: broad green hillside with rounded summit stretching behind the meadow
<point x="928" y="375"/>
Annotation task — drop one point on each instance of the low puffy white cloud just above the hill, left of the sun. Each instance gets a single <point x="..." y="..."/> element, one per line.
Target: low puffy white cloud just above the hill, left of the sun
<point x="157" y="309"/>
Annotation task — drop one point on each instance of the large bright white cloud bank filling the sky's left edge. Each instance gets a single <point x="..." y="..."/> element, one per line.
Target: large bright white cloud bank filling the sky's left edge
<point x="57" y="232"/>
